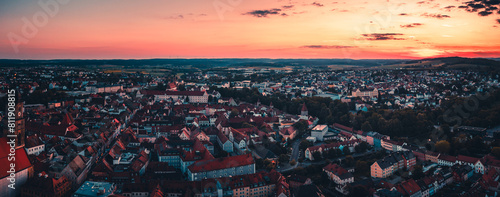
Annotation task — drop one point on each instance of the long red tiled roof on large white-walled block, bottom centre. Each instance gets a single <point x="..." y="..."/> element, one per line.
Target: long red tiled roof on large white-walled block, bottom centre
<point x="221" y="163"/>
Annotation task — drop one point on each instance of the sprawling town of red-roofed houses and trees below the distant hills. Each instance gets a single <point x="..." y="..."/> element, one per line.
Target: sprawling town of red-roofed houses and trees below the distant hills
<point x="142" y="135"/>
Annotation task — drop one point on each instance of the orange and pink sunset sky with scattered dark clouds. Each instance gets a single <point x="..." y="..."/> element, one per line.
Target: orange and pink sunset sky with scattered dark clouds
<point x="130" y="29"/>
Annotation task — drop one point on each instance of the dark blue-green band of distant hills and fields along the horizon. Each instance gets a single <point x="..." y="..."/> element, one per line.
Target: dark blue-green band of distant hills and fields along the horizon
<point x="188" y="64"/>
